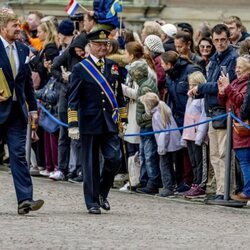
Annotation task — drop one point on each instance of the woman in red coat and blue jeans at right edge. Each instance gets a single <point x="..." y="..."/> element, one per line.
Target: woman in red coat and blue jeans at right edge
<point x="232" y="96"/>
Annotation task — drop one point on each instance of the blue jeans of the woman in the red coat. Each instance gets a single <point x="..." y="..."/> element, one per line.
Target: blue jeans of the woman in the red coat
<point x="243" y="155"/>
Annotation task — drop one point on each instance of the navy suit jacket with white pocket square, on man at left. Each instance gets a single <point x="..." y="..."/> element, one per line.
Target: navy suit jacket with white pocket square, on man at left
<point x="22" y="83"/>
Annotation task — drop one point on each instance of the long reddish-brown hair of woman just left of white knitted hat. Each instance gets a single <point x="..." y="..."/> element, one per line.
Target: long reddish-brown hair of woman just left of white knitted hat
<point x="136" y="49"/>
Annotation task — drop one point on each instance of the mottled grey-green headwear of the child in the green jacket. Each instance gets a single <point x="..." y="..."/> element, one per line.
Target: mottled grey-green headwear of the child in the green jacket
<point x="138" y="70"/>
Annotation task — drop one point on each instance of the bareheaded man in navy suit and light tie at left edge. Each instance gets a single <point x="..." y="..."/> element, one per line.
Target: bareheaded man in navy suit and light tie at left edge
<point x="13" y="110"/>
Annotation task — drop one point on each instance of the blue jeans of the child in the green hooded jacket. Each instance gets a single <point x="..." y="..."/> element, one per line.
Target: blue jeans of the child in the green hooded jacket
<point x="150" y="171"/>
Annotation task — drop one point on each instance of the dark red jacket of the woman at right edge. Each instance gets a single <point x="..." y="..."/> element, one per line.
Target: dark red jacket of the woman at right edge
<point x="232" y="99"/>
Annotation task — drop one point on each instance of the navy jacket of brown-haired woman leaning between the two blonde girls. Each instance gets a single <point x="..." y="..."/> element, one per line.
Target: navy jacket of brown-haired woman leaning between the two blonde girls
<point x="177" y="85"/>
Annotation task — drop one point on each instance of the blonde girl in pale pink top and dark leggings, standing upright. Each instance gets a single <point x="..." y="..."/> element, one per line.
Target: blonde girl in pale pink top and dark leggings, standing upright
<point x="194" y="138"/>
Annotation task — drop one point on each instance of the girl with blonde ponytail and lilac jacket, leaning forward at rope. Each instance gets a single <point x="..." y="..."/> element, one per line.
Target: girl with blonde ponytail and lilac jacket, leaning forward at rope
<point x="167" y="142"/>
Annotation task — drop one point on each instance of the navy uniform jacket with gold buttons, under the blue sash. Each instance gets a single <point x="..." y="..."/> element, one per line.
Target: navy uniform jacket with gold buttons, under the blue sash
<point x="93" y="109"/>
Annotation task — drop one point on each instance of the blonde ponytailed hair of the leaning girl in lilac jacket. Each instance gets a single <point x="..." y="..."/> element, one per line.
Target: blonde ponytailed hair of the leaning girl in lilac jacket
<point x="151" y="100"/>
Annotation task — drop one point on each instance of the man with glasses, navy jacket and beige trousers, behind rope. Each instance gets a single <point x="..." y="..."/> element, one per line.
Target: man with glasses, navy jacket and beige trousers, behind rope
<point x="226" y="56"/>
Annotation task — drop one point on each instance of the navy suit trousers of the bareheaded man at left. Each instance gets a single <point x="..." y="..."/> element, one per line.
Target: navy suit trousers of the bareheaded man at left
<point x="15" y="129"/>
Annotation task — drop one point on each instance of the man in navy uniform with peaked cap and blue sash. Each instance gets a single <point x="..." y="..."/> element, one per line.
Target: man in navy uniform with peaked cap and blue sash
<point x="95" y="96"/>
